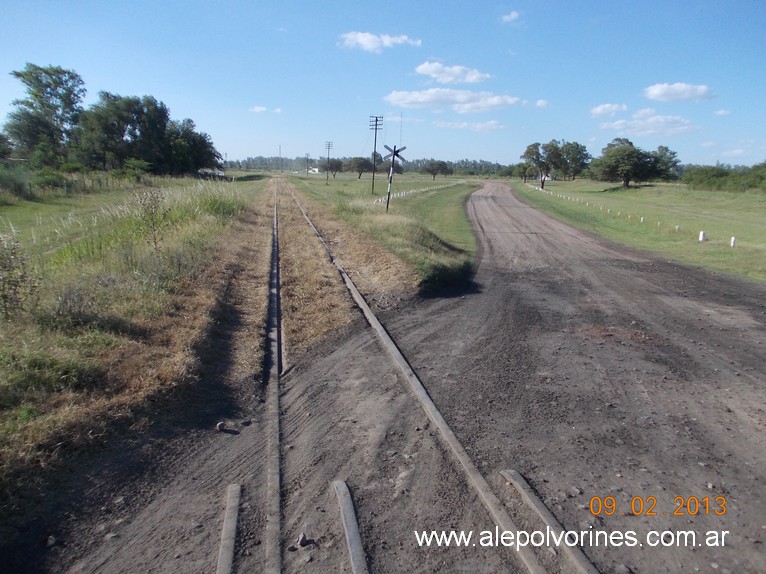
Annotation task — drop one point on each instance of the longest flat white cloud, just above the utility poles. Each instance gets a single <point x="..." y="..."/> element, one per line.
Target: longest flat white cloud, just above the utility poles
<point x="460" y="101"/>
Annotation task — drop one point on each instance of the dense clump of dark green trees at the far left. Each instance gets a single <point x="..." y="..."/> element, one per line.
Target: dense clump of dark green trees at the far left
<point x="51" y="129"/>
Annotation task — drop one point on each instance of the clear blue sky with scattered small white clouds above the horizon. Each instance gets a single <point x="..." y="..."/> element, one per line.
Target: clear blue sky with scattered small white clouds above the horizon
<point x="453" y="80"/>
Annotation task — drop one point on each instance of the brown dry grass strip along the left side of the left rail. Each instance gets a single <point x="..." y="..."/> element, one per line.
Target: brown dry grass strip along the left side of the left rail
<point x="156" y="374"/>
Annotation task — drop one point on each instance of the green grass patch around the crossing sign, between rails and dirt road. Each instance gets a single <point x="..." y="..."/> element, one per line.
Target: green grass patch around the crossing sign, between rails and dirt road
<point x="427" y="228"/>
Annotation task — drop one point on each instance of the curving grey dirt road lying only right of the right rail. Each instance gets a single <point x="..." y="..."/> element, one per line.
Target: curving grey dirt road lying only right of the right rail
<point x="597" y="371"/>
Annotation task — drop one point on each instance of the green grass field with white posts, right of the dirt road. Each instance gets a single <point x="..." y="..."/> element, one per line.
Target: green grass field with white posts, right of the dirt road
<point x="616" y="213"/>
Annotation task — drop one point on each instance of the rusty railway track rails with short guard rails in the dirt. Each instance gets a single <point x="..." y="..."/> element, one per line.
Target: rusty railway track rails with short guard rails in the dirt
<point x="275" y="544"/>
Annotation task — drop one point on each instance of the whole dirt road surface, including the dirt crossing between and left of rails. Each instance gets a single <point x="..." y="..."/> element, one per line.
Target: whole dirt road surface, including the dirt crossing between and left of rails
<point x="592" y="370"/>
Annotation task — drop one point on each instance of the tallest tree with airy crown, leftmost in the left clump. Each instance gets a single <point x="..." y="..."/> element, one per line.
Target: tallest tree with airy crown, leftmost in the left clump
<point x="50" y="111"/>
